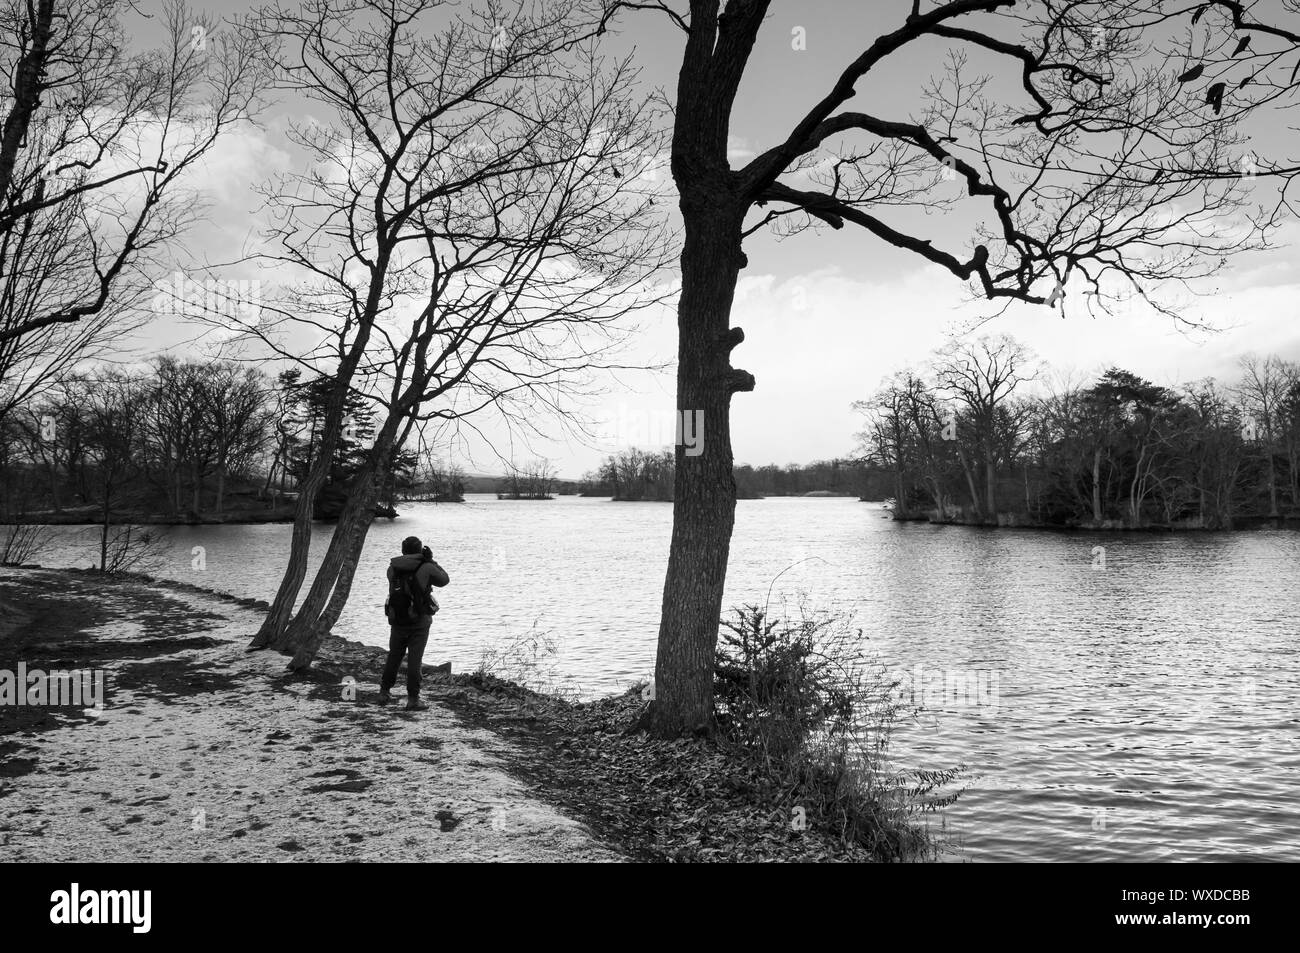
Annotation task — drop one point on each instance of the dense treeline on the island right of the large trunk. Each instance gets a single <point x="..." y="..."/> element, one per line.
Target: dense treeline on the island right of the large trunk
<point x="963" y="445"/>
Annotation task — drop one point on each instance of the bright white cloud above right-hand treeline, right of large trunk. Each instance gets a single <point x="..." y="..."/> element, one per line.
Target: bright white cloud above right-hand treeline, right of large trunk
<point x="820" y="341"/>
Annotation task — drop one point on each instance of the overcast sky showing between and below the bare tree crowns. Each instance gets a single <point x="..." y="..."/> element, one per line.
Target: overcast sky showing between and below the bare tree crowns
<point x="826" y="315"/>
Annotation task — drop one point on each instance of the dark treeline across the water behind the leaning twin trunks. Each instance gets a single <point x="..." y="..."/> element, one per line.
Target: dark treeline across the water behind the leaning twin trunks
<point x="188" y="441"/>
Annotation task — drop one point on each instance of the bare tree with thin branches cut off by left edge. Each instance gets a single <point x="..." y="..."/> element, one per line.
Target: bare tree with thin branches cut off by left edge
<point x="94" y="151"/>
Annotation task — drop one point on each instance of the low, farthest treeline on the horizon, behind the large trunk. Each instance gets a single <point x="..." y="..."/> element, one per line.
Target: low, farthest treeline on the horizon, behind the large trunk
<point x="636" y="475"/>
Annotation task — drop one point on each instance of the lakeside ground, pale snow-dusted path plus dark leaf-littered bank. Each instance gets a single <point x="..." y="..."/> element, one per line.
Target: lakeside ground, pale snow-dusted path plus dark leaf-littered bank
<point x="289" y="766"/>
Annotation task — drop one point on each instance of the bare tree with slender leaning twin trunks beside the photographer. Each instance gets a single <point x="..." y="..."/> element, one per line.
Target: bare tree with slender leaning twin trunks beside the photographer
<point x="475" y="233"/>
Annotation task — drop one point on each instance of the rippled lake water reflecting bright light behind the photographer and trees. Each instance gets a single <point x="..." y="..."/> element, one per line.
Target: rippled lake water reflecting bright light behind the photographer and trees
<point x="1149" y="711"/>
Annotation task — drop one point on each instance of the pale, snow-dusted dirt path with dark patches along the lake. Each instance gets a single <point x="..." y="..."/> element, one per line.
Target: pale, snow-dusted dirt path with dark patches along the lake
<point x="206" y="753"/>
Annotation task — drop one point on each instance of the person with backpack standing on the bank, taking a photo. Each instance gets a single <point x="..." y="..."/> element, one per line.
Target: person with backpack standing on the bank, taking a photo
<point x="410" y="609"/>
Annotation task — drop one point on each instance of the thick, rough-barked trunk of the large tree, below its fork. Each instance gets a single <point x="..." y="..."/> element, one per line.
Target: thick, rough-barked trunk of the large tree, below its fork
<point x="704" y="506"/>
